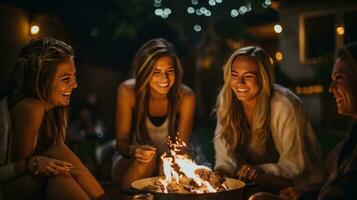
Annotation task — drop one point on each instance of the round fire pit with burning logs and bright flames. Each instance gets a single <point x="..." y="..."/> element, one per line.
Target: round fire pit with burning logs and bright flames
<point x="184" y="179"/>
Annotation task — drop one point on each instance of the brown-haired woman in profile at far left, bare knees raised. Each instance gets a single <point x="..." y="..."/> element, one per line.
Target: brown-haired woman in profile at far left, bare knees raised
<point x="38" y="161"/>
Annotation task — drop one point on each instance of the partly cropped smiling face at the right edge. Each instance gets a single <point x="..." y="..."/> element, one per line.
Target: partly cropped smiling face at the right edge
<point x="344" y="88"/>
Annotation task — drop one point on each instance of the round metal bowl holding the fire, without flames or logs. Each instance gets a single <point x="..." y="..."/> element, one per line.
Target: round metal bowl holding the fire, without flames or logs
<point x="235" y="191"/>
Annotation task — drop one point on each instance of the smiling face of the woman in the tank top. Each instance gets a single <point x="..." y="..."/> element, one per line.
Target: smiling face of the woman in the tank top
<point x="163" y="76"/>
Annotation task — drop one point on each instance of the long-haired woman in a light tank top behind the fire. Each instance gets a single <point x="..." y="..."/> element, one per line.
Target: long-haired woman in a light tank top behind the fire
<point x="151" y="106"/>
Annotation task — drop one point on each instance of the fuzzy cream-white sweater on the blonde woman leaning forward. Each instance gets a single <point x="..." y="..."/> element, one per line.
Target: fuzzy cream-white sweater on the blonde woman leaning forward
<point x="294" y="139"/>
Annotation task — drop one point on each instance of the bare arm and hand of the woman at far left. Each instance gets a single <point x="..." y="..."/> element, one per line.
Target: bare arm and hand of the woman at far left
<point x="27" y="118"/>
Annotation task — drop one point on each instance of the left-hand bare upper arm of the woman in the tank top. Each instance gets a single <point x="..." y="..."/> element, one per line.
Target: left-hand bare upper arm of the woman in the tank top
<point x="123" y="116"/>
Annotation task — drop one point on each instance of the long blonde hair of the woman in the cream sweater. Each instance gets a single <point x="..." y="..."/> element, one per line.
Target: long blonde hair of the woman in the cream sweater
<point x="230" y="113"/>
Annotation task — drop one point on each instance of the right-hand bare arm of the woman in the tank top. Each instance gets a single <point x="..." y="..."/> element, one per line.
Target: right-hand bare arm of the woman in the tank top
<point x="187" y="110"/>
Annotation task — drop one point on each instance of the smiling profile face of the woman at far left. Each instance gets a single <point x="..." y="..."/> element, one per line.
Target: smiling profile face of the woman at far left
<point x="63" y="83"/>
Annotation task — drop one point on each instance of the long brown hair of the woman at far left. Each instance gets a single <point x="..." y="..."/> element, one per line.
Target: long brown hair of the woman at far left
<point x="33" y="77"/>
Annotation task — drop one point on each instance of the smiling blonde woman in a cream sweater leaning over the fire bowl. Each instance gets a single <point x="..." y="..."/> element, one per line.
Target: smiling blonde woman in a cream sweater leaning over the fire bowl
<point x="262" y="131"/>
